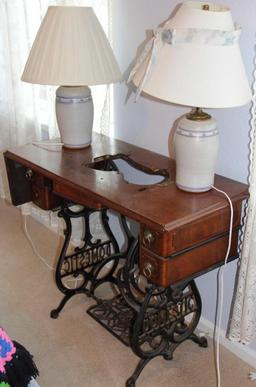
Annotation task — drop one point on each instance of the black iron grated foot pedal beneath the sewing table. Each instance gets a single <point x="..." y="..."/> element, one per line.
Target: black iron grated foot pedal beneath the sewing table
<point x="116" y="316"/>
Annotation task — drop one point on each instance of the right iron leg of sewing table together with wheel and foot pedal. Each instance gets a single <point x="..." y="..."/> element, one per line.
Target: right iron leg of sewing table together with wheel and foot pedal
<point x="153" y="321"/>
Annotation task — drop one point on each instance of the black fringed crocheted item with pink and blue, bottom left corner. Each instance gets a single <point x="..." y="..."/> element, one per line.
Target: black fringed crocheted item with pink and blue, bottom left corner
<point x="17" y="367"/>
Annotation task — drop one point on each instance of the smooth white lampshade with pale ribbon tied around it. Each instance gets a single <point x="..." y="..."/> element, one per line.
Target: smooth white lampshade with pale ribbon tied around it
<point x="197" y="71"/>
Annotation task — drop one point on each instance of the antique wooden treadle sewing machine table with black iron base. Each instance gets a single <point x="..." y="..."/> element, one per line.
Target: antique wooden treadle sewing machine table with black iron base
<point x="156" y="304"/>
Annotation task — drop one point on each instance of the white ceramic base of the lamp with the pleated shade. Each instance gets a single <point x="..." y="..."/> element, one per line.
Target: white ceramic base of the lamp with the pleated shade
<point x="74" y="113"/>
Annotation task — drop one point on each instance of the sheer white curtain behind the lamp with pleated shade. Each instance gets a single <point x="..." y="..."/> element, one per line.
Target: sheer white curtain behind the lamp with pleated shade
<point x="27" y="111"/>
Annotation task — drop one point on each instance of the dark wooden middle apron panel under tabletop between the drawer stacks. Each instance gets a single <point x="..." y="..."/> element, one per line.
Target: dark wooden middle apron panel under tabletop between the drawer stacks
<point x="71" y="193"/>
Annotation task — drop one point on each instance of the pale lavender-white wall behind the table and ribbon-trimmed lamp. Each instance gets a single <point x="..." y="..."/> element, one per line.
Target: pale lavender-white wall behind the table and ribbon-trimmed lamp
<point x="147" y="123"/>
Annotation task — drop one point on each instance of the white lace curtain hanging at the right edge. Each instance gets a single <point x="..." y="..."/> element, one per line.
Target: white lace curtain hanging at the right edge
<point x="243" y="321"/>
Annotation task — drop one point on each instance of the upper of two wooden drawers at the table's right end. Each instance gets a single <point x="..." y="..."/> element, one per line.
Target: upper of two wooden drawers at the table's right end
<point x="167" y="243"/>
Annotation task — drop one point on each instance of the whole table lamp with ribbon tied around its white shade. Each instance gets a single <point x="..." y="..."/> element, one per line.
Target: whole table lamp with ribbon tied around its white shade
<point x="195" y="60"/>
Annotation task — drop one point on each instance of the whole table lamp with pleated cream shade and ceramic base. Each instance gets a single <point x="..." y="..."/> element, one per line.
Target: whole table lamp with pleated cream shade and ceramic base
<point x="71" y="50"/>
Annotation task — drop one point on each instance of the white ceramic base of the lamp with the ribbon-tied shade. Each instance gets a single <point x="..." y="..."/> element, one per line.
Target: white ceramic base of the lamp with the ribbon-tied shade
<point x="196" y="148"/>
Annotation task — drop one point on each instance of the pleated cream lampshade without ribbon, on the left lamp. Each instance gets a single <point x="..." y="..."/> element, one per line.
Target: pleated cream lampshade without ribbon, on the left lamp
<point x="71" y="49"/>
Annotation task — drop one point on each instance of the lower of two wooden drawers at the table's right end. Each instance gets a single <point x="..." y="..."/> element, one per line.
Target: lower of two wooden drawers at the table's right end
<point x="167" y="271"/>
